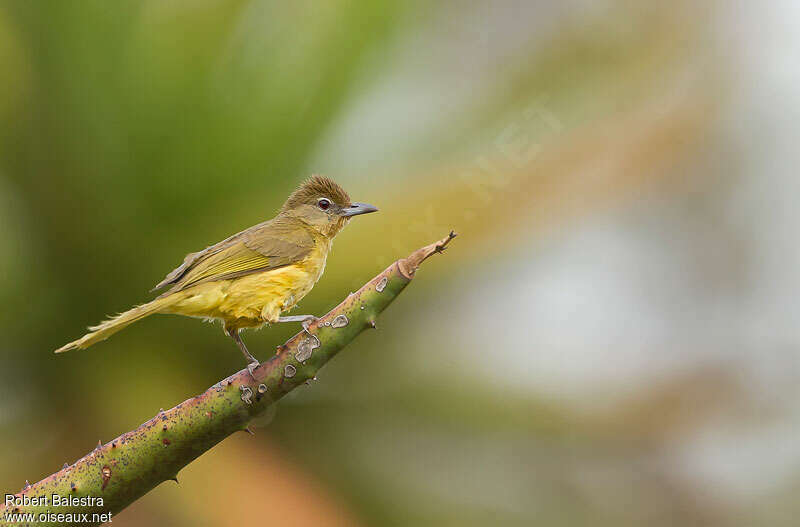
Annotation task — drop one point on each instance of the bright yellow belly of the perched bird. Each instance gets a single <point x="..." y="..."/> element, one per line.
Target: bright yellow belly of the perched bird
<point x="252" y="300"/>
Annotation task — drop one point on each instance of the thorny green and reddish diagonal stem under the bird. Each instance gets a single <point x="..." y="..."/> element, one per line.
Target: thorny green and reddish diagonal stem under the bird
<point x="126" y="468"/>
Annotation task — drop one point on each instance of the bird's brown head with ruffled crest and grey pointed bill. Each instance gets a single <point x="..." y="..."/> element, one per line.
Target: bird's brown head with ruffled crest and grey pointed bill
<point x="322" y="204"/>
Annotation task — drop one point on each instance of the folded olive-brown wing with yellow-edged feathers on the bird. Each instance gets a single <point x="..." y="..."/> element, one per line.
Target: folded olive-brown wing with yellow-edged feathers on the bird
<point x="261" y="248"/>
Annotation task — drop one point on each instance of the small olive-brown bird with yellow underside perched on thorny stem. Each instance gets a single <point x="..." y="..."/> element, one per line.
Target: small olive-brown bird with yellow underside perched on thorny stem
<point x="249" y="279"/>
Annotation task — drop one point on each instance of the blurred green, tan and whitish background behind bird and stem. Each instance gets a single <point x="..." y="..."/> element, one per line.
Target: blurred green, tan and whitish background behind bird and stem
<point x="610" y="341"/>
